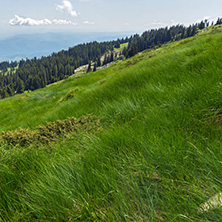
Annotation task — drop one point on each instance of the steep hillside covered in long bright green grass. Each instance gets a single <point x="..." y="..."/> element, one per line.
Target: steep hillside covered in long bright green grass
<point x="155" y="156"/>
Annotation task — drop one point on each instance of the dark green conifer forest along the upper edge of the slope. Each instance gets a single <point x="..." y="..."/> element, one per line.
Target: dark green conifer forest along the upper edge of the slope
<point x="32" y="74"/>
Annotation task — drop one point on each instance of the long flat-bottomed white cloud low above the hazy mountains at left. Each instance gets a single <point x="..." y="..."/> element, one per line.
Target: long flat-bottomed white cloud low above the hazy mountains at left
<point x="20" y="21"/>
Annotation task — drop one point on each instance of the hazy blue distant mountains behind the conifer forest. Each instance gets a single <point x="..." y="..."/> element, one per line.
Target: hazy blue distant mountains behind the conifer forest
<point x="43" y="44"/>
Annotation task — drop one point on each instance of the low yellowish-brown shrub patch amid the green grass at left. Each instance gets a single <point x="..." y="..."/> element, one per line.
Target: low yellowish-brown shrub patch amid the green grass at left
<point x="52" y="130"/>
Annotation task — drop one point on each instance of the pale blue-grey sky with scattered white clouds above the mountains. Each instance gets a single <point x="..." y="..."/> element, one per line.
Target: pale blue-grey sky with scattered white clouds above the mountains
<point x="28" y="16"/>
